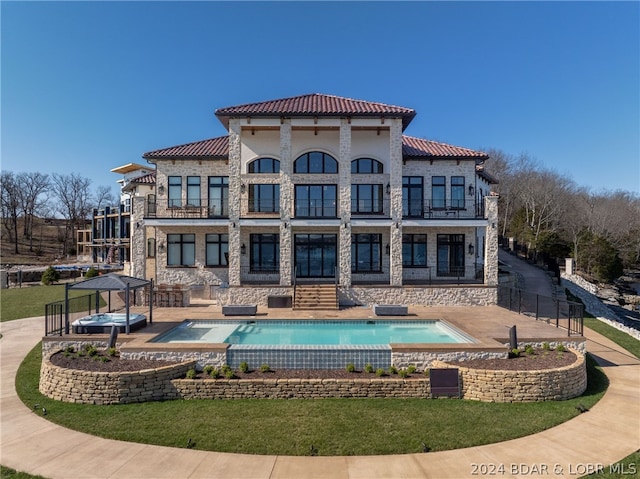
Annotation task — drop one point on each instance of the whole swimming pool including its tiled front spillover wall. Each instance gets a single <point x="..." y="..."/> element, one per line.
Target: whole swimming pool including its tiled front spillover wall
<point x="311" y="344"/>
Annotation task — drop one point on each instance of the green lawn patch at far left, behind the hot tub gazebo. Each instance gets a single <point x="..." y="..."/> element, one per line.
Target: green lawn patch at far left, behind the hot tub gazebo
<point x="29" y="301"/>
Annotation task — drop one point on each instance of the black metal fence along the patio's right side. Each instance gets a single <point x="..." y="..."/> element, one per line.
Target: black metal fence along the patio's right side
<point x="559" y="312"/>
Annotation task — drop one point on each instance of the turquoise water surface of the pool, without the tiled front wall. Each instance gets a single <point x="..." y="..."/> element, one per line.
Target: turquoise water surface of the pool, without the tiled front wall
<point x="314" y="332"/>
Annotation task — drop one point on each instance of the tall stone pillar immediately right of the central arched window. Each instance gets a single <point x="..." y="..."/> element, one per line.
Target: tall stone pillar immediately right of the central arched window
<point x="344" y="207"/>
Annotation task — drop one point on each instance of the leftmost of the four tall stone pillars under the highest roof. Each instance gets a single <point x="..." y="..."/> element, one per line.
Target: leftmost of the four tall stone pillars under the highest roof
<point x="235" y="199"/>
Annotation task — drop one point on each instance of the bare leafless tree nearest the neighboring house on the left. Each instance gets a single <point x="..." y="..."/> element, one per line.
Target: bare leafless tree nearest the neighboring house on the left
<point x="74" y="203"/>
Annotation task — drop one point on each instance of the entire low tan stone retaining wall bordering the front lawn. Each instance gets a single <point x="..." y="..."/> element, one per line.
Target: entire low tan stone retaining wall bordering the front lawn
<point x="167" y="383"/>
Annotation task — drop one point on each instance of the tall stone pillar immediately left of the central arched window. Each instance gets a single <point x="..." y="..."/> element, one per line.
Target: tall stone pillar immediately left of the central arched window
<point x="286" y="204"/>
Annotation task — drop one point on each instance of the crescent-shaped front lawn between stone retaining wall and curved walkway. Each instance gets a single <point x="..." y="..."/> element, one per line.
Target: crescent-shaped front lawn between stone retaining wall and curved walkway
<point x="290" y="427"/>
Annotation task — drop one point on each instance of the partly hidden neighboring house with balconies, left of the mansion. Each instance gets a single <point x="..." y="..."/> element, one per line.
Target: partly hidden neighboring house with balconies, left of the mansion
<point x="111" y="225"/>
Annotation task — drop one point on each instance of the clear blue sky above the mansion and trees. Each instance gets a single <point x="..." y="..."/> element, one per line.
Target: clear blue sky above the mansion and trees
<point x="89" y="86"/>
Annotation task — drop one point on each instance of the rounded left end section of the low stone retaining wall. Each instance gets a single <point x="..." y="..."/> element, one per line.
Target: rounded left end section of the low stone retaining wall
<point x="87" y="387"/>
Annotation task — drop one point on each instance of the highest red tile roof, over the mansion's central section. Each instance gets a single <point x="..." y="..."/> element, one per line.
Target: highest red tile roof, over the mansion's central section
<point x="315" y="104"/>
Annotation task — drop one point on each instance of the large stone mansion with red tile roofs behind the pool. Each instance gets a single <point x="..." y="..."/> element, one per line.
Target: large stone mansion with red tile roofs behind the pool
<point x="320" y="189"/>
